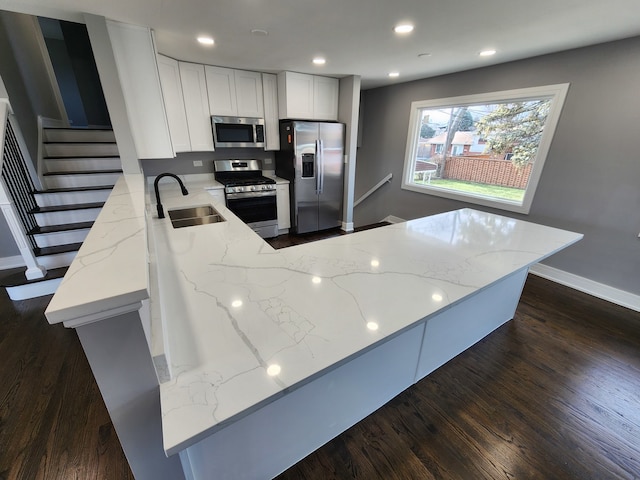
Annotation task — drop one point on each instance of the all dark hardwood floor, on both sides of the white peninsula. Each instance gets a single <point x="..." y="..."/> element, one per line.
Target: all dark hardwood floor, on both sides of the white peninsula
<point x="553" y="394"/>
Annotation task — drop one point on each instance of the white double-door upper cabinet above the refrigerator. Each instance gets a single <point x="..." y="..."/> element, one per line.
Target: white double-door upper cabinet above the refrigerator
<point x="307" y="97"/>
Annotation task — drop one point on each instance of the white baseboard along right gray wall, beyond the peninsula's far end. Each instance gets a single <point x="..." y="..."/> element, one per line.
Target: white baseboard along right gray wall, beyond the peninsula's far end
<point x="599" y="290"/>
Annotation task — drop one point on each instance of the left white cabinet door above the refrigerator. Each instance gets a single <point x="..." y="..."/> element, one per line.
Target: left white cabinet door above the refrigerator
<point x="295" y="95"/>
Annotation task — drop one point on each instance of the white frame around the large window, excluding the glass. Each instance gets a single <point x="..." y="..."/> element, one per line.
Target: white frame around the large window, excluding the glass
<point x="556" y="93"/>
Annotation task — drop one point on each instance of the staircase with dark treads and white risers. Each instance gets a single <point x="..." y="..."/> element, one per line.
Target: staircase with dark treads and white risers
<point x="79" y="168"/>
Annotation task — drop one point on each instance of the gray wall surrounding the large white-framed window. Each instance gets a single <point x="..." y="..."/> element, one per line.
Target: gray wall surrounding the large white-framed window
<point x="591" y="179"/>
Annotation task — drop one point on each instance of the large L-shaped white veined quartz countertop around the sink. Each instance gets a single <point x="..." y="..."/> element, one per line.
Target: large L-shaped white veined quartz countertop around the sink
<point x="243" y="323"/>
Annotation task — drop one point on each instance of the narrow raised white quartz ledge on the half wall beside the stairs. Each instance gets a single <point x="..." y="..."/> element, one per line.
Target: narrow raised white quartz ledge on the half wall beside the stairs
<point x="109" y="274"/>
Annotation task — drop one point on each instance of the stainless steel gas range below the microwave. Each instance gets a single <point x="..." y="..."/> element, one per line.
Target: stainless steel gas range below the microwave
<point x="249" y="195"/>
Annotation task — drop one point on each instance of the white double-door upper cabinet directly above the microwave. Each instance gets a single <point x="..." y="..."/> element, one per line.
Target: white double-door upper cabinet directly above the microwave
<point x="235" y="93"/>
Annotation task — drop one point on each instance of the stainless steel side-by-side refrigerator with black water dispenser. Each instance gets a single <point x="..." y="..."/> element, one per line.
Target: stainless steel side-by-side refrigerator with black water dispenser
<point x="311" y="157"/>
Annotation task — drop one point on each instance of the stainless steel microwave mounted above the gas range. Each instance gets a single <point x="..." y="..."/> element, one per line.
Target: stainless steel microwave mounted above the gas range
<point x="239" y="132"/>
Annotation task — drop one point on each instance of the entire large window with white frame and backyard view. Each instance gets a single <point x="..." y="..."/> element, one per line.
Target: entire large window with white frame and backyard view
<point x="490" y="148"/>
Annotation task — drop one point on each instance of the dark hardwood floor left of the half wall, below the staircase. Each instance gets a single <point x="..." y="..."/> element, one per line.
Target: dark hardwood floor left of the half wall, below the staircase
<point x="53" y="421"/>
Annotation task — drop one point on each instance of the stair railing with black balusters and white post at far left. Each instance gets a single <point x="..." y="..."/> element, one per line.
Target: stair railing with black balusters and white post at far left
<point x="16" y="187"/>
